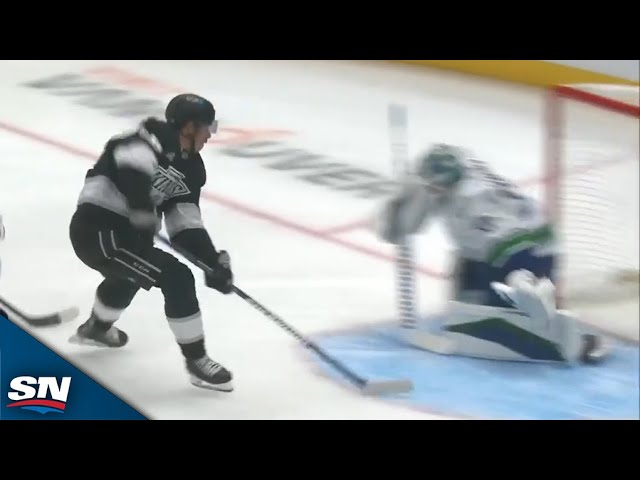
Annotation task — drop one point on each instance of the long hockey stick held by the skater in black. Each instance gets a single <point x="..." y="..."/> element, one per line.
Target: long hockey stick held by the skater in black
<point x="366" y="386"/>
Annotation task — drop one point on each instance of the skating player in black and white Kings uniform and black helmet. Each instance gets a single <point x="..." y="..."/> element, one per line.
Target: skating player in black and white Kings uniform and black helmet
<point x="139" y="178"/>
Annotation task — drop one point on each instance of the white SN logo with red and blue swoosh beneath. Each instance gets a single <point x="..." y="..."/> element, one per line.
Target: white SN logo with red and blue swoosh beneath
<point x="46" y="395"/>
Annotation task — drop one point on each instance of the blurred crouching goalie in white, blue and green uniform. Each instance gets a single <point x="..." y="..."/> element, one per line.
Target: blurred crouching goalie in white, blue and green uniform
<point x="504" y="297"/>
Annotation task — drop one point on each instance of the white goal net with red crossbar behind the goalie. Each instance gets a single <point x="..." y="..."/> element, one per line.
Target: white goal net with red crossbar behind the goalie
<point x="592" y="177"/>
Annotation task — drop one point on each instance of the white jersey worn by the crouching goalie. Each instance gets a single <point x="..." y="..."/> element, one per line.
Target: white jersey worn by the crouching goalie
<point x="487" y="217"/>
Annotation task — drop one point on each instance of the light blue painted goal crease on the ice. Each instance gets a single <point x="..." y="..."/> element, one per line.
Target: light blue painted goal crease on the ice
<point x="485" y="389"/>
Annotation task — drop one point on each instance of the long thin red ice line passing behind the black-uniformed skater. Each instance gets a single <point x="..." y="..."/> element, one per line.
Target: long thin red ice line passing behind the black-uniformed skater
<point x="232" y="204"/>
